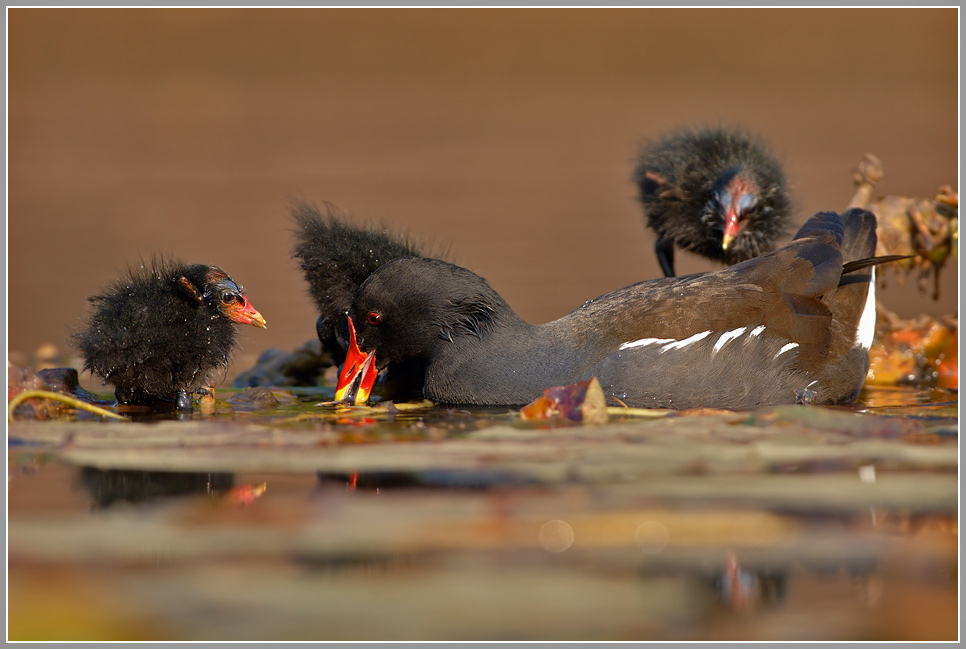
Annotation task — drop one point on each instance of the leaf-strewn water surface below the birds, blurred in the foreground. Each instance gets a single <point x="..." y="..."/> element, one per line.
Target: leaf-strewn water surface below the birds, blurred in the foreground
<point x="301" y="523"/>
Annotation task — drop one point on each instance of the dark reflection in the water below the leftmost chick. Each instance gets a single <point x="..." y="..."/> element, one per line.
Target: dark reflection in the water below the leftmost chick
<point x="110" y="486"/>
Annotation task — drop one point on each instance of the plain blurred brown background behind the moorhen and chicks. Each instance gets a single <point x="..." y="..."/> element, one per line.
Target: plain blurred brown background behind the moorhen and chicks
<point x="507" y="136"/>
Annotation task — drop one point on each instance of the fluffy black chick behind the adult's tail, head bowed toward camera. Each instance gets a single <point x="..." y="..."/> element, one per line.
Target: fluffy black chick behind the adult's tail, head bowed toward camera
<point x="716" y="192"/>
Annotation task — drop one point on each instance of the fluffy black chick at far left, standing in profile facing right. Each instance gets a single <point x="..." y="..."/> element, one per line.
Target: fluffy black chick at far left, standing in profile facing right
<point x="161" y="333"/>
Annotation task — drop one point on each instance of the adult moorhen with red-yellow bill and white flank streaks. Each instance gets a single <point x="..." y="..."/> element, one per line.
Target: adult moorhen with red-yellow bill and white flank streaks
<point x="791" y="326"/>
